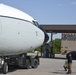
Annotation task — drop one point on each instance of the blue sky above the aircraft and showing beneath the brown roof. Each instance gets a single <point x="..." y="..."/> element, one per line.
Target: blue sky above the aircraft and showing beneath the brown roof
<point x="47" y="11"/>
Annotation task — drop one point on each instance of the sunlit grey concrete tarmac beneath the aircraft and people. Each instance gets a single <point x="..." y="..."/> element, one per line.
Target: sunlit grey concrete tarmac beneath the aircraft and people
<point x="48" y="66"/>
